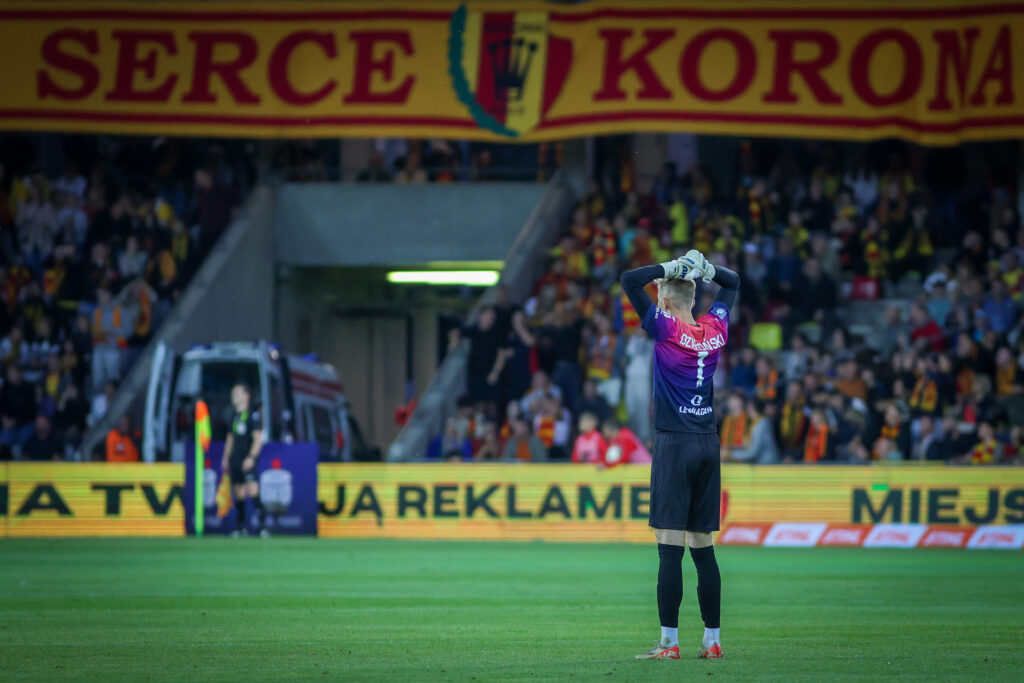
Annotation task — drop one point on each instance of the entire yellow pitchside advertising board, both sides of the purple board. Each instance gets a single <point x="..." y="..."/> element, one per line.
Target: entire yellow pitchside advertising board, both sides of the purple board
<point x="514" y="502"/>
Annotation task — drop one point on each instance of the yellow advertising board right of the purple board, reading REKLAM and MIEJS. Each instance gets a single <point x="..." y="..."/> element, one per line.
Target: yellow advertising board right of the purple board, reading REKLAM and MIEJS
<point x="581" y="503"/>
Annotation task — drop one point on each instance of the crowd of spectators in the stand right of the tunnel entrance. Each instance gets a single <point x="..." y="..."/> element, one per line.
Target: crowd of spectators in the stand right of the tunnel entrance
<point x="927" y="244"/>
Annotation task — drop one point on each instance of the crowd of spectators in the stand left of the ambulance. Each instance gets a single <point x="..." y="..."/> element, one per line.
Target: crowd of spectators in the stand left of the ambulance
<point x="92" y="261"/>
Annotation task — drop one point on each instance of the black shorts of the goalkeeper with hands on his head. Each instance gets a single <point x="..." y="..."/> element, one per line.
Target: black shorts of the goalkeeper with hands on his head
<point x="686" y="482"/>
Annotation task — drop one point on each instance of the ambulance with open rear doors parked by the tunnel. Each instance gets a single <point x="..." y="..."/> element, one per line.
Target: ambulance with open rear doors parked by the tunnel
<point x="300" y="400"/>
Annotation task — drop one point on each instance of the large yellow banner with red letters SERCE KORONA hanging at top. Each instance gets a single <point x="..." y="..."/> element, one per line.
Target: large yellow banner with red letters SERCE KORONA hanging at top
<point x="935" y="72"/>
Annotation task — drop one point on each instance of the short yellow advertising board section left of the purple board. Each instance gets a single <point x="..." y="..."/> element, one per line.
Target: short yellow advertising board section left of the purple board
<point x="91" y="499"/>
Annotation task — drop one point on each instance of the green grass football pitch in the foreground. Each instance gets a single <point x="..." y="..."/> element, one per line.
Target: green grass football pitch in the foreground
<point x="279" y="609"/>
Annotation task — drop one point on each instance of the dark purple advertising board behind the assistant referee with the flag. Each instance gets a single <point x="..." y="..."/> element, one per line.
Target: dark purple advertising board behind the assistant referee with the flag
<point x="287" y="489"/>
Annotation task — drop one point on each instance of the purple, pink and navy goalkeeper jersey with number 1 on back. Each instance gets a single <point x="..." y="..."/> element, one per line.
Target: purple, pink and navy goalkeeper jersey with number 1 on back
<point x="686" y="358"/>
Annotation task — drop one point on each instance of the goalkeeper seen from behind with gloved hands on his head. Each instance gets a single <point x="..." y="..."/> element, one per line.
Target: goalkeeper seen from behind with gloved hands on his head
<point x="686" y="475"/>
